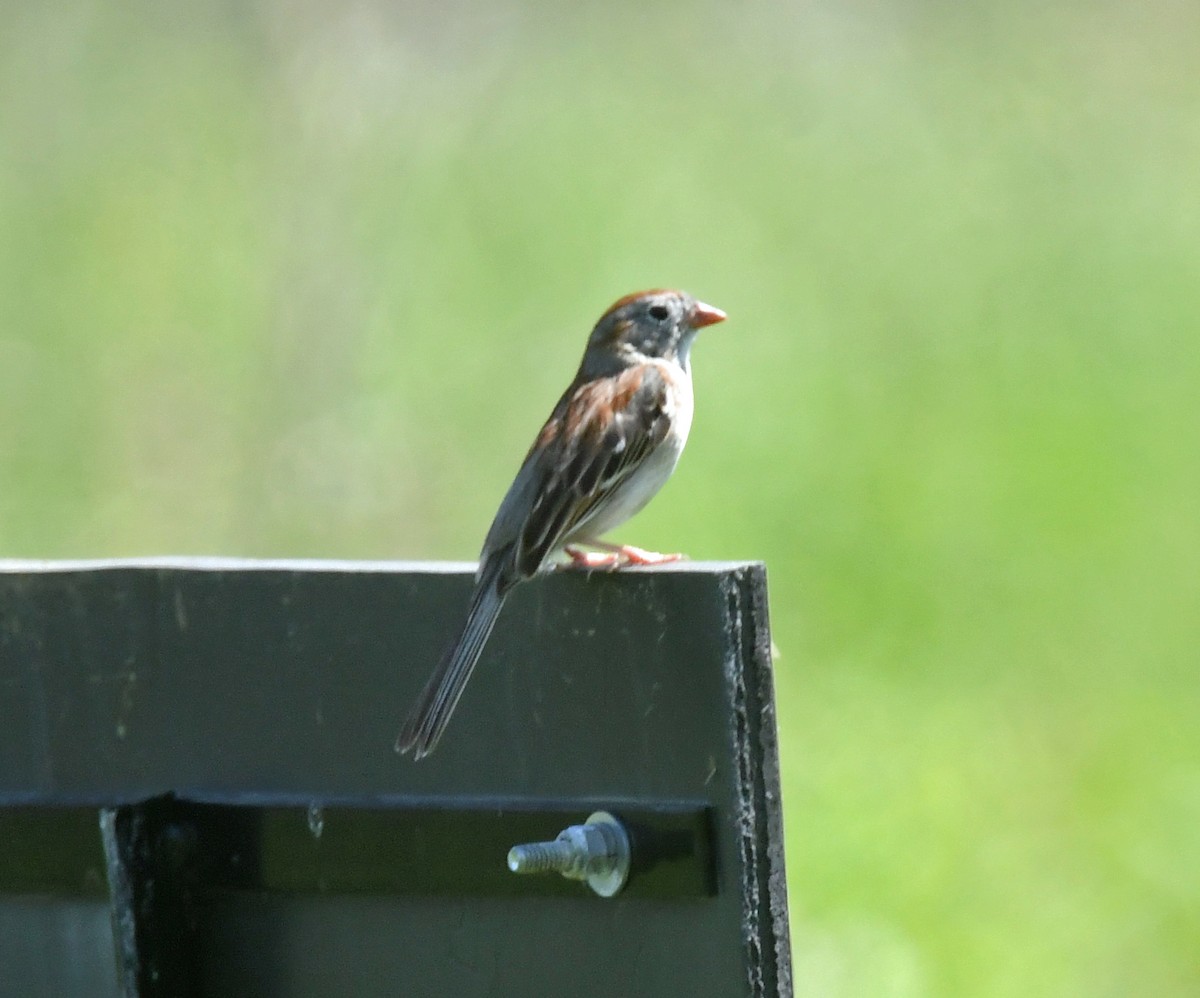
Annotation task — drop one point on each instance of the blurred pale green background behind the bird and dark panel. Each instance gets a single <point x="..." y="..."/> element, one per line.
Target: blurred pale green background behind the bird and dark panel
<point x="304" y="279"/>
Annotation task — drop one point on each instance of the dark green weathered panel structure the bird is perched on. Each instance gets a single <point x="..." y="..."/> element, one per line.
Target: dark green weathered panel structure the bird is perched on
<point x="199" y="792"/>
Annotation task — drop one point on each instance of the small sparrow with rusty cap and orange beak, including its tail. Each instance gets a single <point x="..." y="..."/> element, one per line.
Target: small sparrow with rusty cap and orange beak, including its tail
<point x="609" y="447"/>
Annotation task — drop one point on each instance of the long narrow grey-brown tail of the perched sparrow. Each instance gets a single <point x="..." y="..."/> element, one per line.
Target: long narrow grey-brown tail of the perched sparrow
<point x="433" y="711"/>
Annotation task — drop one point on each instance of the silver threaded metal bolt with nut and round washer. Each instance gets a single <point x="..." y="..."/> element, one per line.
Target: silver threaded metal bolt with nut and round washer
<point x="597" y="852"/>
